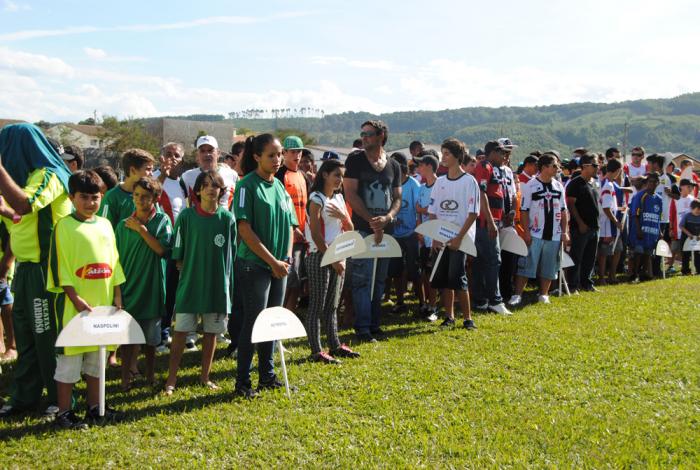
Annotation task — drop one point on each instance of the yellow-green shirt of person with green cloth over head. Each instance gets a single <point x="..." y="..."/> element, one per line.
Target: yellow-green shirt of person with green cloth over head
<point x="30" y="238"/>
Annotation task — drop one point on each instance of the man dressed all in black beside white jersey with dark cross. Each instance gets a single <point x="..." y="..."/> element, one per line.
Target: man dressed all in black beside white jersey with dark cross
<point x="582" y="201"/>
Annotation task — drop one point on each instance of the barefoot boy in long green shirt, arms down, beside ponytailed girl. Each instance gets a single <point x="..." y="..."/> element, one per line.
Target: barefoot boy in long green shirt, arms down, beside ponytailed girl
<point x="204" y="248"/>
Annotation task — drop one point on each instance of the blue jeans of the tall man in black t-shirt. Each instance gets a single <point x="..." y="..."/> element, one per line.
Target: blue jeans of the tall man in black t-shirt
<point x="367" y="311"/>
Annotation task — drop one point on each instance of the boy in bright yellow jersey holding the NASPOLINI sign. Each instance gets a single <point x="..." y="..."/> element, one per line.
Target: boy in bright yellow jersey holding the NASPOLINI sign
<point x="84" y="270"/>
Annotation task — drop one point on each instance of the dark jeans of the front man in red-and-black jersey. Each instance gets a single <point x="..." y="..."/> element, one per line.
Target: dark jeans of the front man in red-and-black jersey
<point x="486" y="269"/>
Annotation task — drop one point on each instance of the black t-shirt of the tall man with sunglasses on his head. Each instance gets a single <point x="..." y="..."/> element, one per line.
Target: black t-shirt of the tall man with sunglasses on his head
<point x="373" y="187"/>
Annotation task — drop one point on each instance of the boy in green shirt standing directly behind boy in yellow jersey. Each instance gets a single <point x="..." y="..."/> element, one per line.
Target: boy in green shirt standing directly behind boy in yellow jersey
<point x="118" y="203"/>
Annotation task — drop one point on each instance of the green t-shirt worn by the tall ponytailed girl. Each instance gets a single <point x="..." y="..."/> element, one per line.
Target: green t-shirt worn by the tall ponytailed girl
<point x="267" y="207"/>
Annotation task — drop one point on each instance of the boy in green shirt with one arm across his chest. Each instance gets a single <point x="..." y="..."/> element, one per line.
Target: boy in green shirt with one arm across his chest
<point x="144" y="242"/>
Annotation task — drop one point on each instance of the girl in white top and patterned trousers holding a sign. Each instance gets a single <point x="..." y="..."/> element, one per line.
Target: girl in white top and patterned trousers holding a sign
<point x="327" y="218"/>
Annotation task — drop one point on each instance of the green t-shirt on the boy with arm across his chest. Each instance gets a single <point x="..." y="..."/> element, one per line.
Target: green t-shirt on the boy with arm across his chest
<point x="143" y="293"/>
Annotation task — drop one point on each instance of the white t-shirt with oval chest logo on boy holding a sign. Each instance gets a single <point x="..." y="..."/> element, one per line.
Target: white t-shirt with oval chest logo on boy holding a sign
<point x="453" y="200"/>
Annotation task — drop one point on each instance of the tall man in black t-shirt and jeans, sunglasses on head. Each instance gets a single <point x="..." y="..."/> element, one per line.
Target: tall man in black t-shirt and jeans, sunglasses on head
<point x="373" y="189"/>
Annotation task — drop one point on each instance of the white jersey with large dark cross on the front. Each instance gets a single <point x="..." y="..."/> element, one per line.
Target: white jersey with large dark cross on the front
<point x="545" y="203"/>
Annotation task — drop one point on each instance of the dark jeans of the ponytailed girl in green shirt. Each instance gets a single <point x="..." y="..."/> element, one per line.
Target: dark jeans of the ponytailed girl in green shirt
<point x="258" y="291"/>
